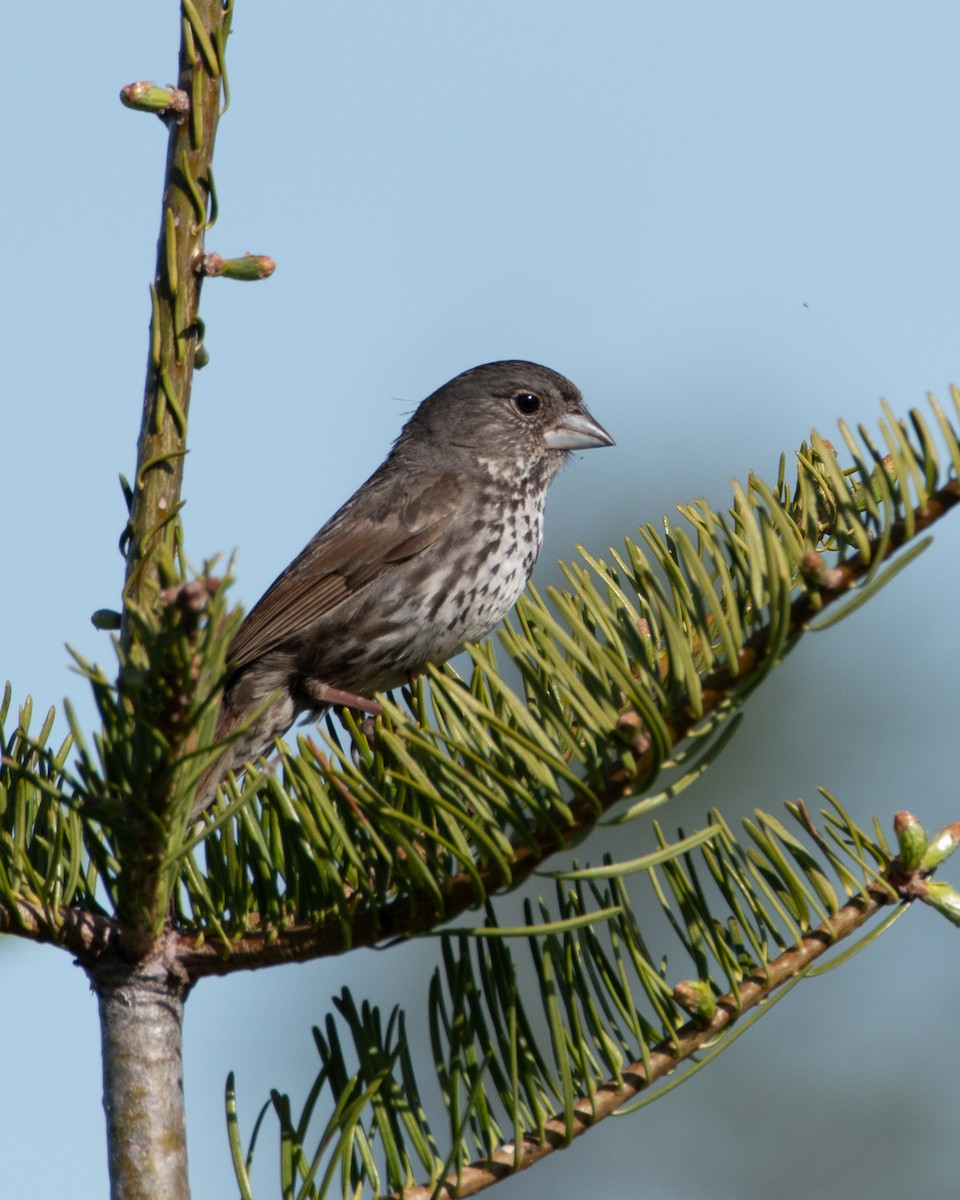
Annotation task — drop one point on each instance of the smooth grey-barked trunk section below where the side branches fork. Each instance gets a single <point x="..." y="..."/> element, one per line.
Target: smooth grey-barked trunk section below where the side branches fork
<point x="142" y="1018"/>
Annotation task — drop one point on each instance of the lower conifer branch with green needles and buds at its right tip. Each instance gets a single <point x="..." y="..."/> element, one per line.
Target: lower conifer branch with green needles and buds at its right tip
<point x="526" y="1063"/>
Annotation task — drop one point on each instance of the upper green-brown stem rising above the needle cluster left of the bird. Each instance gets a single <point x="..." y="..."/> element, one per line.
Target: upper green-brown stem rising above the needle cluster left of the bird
<point x="176" y="293"/>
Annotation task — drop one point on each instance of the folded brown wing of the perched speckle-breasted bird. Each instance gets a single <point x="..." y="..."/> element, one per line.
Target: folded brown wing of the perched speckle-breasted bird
<point x="389" y="524"/>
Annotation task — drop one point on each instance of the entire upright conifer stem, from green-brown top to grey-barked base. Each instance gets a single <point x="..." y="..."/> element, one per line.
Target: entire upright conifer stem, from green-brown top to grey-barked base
<point x="141" y="998"/>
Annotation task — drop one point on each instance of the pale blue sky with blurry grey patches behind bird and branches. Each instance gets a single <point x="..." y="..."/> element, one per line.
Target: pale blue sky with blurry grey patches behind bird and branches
<point x="728" y="225"/>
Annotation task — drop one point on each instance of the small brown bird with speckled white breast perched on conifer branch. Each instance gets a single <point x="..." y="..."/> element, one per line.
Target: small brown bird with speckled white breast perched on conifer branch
<point x="430" y="554"/>
